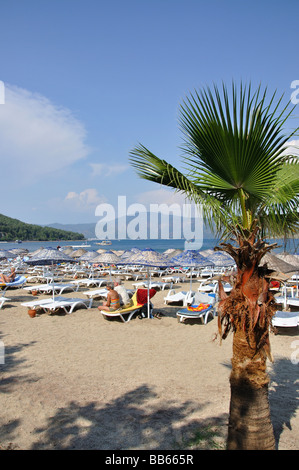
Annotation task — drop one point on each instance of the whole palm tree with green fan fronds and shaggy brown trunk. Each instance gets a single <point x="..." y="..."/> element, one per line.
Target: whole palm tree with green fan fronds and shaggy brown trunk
<point x="238" y="169"/>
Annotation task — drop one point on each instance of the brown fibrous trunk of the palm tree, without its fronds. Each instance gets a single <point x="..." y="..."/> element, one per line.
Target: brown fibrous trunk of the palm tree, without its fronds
<point x="247" y="311"/>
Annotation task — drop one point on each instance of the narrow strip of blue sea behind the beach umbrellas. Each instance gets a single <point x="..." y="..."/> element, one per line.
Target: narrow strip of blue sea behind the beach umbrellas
<point x="290" y="246"/>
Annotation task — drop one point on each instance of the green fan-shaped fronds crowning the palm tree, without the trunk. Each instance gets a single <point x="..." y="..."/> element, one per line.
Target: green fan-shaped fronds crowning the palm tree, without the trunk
<point x="234" y="157"/>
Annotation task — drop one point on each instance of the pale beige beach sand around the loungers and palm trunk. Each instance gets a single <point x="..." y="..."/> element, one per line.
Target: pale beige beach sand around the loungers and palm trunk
<point x="79" y="382"/>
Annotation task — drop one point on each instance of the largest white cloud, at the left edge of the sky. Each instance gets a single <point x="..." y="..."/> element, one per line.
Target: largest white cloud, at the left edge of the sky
<point x="36" y="136"/>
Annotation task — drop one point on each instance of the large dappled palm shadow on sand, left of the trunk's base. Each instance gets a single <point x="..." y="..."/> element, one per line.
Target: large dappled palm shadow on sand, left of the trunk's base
<point x="131" y="421"/>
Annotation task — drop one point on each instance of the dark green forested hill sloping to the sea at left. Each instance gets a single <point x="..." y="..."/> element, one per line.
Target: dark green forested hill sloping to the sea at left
<point x="13" y="229"/>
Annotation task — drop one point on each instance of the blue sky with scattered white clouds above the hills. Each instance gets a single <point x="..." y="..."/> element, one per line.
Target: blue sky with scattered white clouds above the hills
<point x="87" y="80"/>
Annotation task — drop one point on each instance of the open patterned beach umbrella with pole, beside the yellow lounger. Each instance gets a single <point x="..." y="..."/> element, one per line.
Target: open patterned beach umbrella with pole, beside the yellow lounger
<point x="148" y="257"/>
